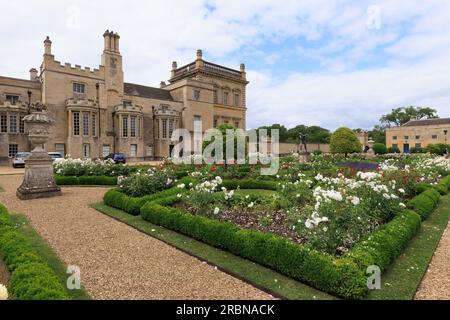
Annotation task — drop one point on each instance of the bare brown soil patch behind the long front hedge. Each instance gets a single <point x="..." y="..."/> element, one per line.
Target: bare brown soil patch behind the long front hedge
<point x="273" y="221"/>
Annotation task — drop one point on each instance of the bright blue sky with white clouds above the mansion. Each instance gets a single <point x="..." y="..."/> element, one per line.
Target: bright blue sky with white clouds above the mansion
<point x="314" y="62"/>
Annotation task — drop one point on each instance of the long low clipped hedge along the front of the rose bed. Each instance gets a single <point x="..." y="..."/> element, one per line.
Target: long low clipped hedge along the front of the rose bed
<point x="338" y="276"/>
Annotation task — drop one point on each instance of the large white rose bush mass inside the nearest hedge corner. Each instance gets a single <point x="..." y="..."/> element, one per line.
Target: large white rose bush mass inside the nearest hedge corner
<point x="347" y="209"/>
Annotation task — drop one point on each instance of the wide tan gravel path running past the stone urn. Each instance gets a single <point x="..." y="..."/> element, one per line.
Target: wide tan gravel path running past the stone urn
<point x="117" y="261"/>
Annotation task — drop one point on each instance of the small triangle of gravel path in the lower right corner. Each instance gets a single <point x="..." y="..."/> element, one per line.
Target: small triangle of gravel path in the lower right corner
<point x="436" y="283"/>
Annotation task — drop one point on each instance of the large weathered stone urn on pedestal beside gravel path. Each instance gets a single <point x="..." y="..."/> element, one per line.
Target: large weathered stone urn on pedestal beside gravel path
<point x="38" y="181"/>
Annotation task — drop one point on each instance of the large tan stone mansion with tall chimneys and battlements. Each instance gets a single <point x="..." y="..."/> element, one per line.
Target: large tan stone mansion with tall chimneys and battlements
<point x="97" y="113"/>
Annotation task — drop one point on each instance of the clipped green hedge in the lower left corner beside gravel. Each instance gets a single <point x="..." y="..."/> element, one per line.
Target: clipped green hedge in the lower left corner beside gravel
<point x="31" y="277"/>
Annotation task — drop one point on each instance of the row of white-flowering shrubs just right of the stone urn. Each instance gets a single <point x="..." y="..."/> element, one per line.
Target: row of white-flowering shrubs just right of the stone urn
<point x="88" y="167"/>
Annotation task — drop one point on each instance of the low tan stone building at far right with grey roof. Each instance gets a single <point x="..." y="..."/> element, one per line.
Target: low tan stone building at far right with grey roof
<point x="418" y="134"/>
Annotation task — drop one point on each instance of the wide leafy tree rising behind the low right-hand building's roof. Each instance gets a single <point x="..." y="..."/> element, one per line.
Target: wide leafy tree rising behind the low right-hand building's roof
<point x="400" y="116"/>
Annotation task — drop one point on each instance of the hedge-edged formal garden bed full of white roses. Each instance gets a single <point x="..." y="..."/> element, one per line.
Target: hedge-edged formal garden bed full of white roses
<point x="320" y="223"/>
